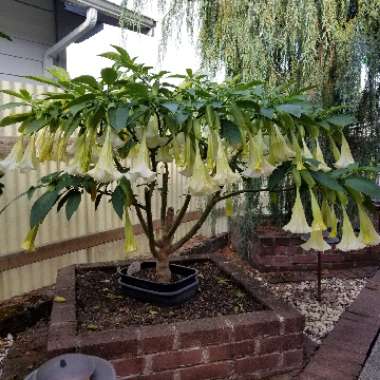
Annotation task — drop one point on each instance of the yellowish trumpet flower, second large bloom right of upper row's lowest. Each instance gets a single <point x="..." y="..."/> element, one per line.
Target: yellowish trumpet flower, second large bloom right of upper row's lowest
<point x="257" y="165"/>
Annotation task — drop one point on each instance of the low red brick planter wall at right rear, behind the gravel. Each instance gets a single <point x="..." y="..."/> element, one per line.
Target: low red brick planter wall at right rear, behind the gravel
<point x="276" y="250"/>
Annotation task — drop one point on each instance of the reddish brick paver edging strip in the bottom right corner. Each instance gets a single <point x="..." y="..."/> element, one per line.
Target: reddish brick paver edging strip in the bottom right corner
<point x="344" y="351"/>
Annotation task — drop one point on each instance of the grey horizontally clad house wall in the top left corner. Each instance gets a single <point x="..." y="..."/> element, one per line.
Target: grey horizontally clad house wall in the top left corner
<point x="31" y="25"/>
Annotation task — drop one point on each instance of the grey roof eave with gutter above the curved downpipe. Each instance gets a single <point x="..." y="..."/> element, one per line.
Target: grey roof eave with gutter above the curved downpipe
<point x="110" y="14"/>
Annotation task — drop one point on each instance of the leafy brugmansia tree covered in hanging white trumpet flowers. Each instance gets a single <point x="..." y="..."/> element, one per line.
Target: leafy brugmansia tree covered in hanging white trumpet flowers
<point x="125" y="129"/>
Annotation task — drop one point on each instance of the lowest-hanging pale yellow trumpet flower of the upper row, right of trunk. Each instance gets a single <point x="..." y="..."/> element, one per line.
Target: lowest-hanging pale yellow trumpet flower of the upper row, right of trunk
<point x="200" y="183"/>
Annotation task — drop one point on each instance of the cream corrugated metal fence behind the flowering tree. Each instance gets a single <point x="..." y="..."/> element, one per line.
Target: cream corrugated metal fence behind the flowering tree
<point x="14" y="222"/>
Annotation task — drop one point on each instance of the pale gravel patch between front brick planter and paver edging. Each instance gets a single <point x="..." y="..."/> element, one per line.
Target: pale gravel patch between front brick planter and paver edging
<point x="320" y="317"/>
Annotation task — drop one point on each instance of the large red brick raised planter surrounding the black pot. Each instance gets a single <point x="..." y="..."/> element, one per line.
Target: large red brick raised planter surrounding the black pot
<point x="251" y="345"/>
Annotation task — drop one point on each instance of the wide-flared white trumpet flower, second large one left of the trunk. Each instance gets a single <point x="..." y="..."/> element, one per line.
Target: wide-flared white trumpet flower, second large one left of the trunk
<point x="105" y="170"/>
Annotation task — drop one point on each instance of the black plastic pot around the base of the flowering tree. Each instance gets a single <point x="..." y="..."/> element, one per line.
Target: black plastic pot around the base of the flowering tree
<point x="167" y="294"/>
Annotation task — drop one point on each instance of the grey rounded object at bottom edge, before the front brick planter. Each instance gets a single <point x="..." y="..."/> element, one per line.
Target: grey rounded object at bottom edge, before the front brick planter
<point x="74" y="367"/>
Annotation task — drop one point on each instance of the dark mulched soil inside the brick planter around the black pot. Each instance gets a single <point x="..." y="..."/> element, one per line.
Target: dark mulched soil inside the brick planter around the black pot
<point x="101" y="305"/>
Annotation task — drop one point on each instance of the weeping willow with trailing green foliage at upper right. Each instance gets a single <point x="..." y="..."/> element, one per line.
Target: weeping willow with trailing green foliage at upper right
<point x="331" y="46"/>
